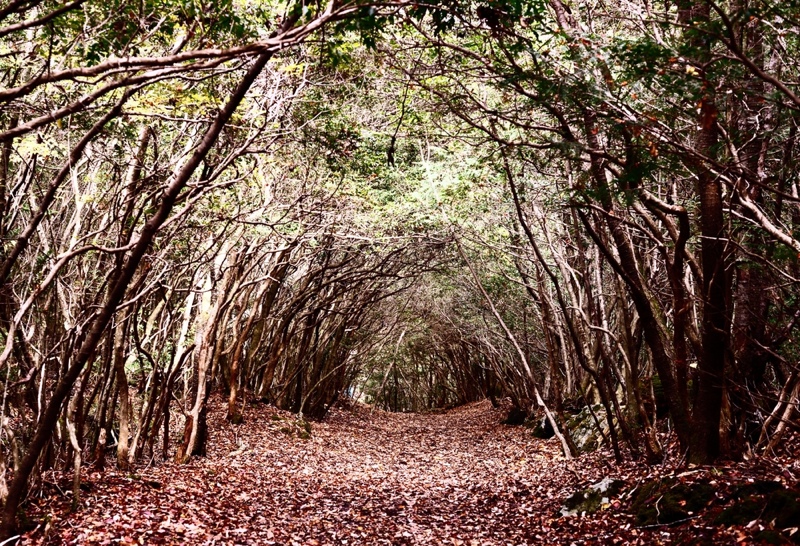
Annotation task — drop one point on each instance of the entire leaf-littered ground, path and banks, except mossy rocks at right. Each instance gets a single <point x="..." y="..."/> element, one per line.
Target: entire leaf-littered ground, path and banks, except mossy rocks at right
<point x="362" y="477"/>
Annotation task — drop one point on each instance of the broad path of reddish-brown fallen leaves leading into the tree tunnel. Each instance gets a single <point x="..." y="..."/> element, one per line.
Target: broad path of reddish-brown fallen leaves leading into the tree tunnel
<point x="361" y="478"/>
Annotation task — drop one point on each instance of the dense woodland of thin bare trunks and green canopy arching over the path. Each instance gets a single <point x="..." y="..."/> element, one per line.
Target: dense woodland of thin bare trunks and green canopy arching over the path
<point x="413" y="205"/>
